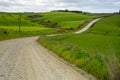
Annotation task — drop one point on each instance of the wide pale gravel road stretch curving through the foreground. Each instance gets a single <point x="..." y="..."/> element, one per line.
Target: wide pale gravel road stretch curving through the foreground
<point x="25" y="59"/>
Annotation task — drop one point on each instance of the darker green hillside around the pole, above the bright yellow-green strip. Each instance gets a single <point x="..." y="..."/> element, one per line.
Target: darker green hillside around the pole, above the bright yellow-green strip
<point x="12" y="19"/>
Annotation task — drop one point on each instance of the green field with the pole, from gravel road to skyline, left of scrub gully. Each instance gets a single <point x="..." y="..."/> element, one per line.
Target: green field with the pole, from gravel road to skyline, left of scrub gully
<point x="9" y="26"/>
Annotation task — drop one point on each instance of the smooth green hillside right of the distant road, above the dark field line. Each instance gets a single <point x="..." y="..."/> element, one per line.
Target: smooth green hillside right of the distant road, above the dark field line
<point x="108" y="26"/>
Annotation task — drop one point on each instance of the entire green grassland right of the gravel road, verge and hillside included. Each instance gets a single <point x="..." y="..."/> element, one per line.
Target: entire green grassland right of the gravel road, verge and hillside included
<point x="97" y="50"/>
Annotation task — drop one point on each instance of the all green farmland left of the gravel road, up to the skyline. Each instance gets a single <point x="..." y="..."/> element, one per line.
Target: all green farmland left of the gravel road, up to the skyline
<point x="35" y="24"/>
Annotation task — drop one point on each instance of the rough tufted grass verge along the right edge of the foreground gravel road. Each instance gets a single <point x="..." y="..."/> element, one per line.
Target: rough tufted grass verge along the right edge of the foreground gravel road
<point x="91" y="62"/>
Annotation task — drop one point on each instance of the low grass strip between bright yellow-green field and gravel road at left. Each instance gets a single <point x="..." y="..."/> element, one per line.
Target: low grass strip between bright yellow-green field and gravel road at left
<point x="10" y="34"/>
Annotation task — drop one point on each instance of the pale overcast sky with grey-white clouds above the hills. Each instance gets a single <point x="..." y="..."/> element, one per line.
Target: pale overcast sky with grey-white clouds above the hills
<point x="103" y="6"/>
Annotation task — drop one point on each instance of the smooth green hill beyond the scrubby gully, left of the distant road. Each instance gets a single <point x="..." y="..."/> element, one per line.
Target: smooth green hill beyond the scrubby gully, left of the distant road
<point x="64" y="19"/>
